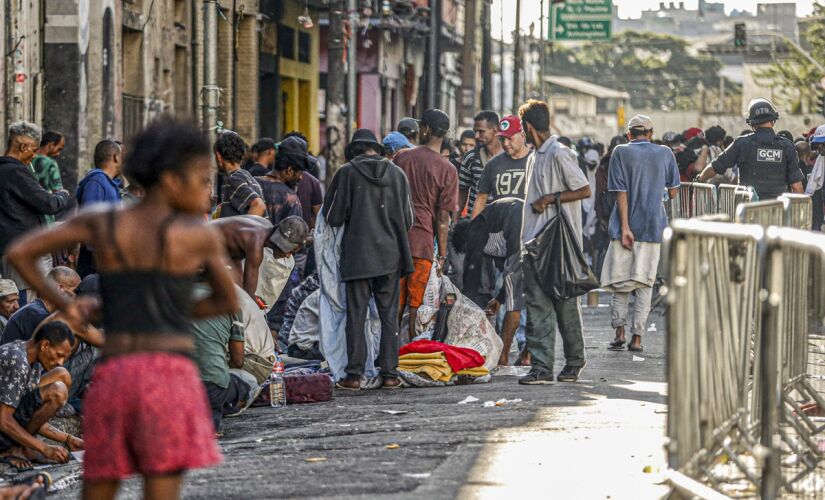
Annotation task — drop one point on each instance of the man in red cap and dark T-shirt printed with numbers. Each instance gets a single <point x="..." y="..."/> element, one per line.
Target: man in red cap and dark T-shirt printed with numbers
<point x="505" y="175"/>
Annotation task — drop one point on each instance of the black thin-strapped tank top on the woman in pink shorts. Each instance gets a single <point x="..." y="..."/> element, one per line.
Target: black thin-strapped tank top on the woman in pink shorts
<point x="145" y="300"/>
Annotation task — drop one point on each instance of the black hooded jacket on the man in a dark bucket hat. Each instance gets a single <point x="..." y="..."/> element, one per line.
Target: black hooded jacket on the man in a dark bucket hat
<point x="370" y="197"/>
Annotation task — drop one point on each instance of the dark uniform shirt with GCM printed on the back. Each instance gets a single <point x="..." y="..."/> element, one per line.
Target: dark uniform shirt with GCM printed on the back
<point x="766" y="162"/>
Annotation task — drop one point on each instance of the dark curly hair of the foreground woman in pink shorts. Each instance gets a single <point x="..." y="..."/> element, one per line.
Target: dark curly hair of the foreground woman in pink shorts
<point x="166" y="145"/>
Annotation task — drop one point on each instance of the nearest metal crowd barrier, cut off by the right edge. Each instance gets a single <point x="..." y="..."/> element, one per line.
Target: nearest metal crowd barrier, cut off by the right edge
<point x="791" y="436"/>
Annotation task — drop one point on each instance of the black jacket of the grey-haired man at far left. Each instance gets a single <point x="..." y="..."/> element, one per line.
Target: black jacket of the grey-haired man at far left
<point x="23" y="202"/>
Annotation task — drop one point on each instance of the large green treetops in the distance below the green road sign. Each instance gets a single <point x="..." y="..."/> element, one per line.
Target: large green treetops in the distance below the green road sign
<point x="658" y="71"/>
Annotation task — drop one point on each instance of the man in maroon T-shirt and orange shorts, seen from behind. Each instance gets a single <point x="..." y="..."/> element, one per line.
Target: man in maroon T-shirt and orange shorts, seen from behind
<point x="434" y="190"/>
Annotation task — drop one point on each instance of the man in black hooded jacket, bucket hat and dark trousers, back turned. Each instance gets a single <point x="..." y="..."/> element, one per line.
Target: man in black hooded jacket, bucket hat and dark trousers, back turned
<point x="370" y="197"/>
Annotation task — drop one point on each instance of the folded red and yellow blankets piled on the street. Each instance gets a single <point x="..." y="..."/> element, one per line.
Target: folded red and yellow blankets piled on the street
<point x="426" y="363"/>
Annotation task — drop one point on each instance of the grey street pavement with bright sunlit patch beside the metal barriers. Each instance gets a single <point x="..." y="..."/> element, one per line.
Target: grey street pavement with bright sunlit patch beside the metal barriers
<point x="593" y="439"/>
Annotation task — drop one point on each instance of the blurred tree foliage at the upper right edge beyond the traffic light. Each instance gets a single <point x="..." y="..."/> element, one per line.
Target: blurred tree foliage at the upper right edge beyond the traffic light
<point x="795" y="81"/>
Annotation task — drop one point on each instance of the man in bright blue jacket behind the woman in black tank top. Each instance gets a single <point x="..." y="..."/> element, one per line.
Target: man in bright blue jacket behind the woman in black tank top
<point x="101" y="185"/>
